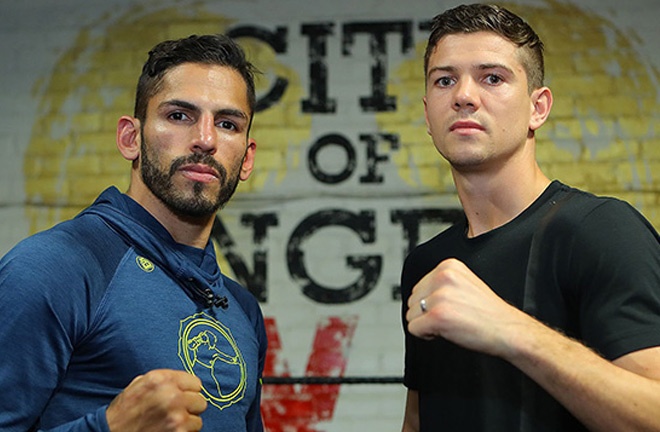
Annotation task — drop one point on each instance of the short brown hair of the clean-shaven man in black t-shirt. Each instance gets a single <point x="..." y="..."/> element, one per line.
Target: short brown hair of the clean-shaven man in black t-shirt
<point x="482" y="17"/>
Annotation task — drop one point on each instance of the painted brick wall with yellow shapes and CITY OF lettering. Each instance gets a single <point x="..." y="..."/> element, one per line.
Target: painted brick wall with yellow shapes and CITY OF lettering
<point x="346" y="177"/>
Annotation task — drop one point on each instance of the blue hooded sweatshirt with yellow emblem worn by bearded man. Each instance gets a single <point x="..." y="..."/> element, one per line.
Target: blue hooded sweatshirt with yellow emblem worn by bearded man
<point x="95" y="301"/>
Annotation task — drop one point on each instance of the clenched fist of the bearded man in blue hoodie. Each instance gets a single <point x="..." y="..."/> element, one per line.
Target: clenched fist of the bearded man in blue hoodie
<point x="162" y="400"/>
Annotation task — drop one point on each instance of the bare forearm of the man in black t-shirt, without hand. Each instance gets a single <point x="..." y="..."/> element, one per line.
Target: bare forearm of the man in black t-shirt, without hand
<point x="602" y="395"/>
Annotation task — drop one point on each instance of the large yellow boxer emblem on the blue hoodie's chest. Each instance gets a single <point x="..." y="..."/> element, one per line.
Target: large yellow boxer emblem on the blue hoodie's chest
<point x="208" y="350"/>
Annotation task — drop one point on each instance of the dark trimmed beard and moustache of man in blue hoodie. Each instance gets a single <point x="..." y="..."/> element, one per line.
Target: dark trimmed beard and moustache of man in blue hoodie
<point x="159" y="180"/>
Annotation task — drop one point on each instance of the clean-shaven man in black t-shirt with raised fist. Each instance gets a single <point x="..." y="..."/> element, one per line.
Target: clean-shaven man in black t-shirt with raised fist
<point x="540" y="311"/>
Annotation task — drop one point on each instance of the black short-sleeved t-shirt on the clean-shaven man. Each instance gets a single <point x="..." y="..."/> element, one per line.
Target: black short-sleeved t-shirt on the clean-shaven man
<point x="587" y="265"/>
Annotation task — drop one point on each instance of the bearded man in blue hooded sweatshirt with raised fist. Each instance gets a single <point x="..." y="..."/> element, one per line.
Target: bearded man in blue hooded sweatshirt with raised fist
<point x="120" y="319"/>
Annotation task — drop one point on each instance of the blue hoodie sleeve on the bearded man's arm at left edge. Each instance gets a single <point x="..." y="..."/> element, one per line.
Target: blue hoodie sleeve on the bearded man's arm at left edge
<point x="44" y="313"/>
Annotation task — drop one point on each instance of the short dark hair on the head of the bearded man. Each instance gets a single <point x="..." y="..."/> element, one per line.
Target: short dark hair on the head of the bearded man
<point x="206" y="49"/>
